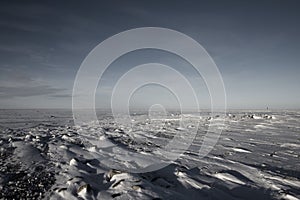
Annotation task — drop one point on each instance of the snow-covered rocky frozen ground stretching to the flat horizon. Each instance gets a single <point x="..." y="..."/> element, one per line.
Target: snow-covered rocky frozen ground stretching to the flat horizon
<point x="43" y="156"/>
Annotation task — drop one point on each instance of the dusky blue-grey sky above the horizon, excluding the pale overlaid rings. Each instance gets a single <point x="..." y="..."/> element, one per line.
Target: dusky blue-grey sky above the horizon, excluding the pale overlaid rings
<point x="255" y="45"/>
